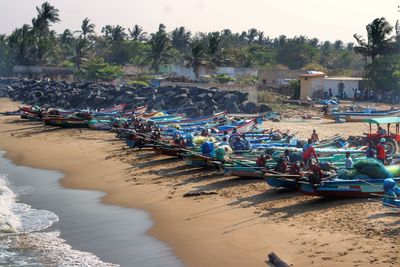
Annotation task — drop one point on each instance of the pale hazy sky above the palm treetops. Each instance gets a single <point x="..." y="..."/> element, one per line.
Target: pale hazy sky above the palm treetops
<point x="325" y="19"/>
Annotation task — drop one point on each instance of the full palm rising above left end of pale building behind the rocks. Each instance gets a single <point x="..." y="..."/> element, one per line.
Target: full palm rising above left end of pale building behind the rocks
<point x="159" y="49"/>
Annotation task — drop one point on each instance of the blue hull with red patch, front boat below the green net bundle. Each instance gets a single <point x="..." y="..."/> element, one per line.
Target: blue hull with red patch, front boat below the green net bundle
<point x="344" y="188"/>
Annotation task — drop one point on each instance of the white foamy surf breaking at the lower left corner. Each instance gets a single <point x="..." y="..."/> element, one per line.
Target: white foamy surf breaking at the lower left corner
<point x="23" y="244"/>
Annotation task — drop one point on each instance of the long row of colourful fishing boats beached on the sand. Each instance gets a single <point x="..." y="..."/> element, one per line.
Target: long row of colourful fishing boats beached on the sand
<point x="235" y="146"/>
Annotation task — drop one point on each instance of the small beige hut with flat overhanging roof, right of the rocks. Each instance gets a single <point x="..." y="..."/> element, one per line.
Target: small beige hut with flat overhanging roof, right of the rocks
<point x="312" y="85"/>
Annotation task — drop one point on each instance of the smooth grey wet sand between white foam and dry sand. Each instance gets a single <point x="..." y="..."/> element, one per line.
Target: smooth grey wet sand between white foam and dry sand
<point x="117" y="235"/>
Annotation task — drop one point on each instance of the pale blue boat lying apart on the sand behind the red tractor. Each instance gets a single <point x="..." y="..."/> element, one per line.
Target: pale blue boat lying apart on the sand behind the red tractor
<point x="359" y="116"/>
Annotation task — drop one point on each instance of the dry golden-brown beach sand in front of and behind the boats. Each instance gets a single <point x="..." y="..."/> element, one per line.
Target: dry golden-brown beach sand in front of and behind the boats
<point x="237" y="227"/>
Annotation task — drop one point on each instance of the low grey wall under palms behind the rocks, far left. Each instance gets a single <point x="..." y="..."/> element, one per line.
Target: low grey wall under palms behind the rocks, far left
<point x="39" y="72"/>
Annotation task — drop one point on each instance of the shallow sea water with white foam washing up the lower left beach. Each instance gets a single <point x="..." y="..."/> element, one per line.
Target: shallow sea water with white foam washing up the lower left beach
<point x="43" y="224"/>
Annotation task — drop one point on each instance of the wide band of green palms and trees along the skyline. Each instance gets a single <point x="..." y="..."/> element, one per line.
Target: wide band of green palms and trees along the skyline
<point x="37" y="43"/>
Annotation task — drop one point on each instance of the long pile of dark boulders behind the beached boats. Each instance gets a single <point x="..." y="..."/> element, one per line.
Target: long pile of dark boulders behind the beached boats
<point x="193" y="101"/>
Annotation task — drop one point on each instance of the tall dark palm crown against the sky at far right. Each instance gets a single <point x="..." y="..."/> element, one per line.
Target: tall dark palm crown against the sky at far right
<point x="378" y="41"/>
